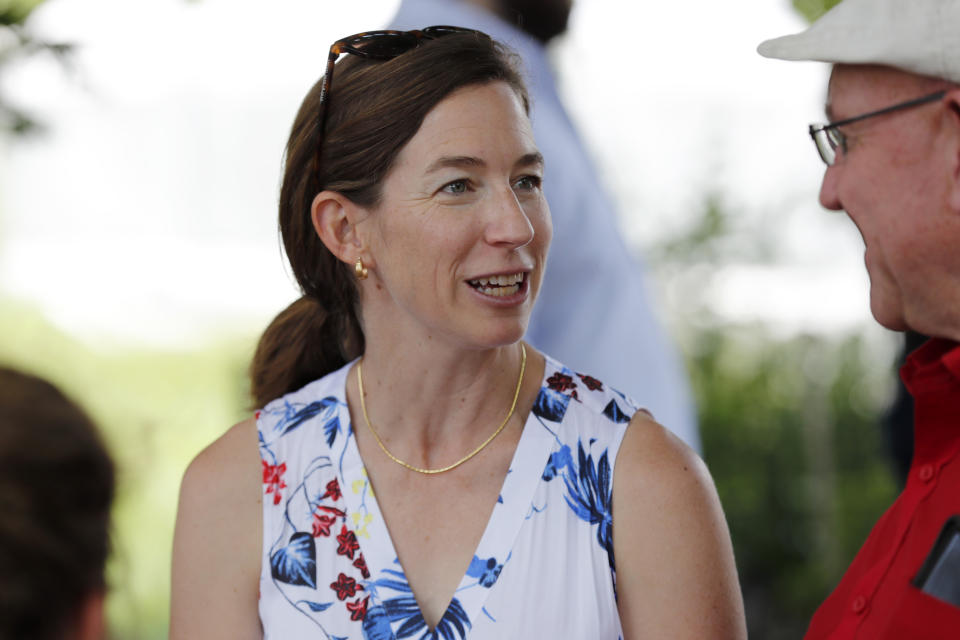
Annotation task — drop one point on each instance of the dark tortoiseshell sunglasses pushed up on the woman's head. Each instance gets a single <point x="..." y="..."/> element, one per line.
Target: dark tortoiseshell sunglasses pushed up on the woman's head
<point x="378" y="45"/>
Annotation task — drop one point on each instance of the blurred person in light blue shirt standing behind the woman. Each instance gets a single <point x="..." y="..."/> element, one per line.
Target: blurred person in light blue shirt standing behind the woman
<point x="594" y="311"/>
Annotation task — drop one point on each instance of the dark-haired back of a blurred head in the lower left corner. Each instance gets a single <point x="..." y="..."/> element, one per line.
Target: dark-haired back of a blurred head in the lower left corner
<point x="56" y="489"/>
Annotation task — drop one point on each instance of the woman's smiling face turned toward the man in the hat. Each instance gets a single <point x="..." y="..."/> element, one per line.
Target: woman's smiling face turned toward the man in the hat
<point x="458" y="243"/>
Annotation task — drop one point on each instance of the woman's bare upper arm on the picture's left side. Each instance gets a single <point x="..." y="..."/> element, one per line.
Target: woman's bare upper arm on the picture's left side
<point x="216" y="545"/>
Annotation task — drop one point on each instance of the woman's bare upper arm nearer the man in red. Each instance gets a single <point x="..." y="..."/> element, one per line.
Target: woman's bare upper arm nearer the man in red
<point x="676" y="577"/>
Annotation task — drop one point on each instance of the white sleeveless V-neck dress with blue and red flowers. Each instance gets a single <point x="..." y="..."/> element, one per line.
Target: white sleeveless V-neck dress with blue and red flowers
<point x="544" y="567"/>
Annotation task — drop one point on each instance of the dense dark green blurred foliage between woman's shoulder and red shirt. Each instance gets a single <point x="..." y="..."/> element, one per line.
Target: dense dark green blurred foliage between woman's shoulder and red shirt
<point x="790" y="431"/>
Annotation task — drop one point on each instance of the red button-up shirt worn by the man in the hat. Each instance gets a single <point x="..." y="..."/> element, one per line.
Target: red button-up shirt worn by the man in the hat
<point x="875" y="599"/>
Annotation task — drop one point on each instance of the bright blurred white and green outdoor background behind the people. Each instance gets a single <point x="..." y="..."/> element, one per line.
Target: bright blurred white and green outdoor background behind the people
<point x="140" y="152"/>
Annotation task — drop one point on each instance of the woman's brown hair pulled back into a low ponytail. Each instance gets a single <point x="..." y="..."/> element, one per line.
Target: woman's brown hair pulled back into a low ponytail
<point x="373" y="109"/>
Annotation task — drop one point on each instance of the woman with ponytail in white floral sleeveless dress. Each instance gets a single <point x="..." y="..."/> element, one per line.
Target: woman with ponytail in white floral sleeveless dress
<point x="423" y="472"/>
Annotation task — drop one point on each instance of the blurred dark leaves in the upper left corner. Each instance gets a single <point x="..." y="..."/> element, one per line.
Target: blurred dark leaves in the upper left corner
<point x="17" y="41"/>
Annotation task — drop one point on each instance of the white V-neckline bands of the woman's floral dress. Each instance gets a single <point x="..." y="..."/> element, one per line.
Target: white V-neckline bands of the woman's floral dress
<point x="387" y="576"/>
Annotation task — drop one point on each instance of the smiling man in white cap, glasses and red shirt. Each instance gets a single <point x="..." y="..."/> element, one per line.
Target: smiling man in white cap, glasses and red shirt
<point x="892" y="150"/>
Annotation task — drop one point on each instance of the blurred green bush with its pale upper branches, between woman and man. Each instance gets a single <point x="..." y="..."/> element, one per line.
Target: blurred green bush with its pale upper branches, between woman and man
<point x="789" y="422"/>
